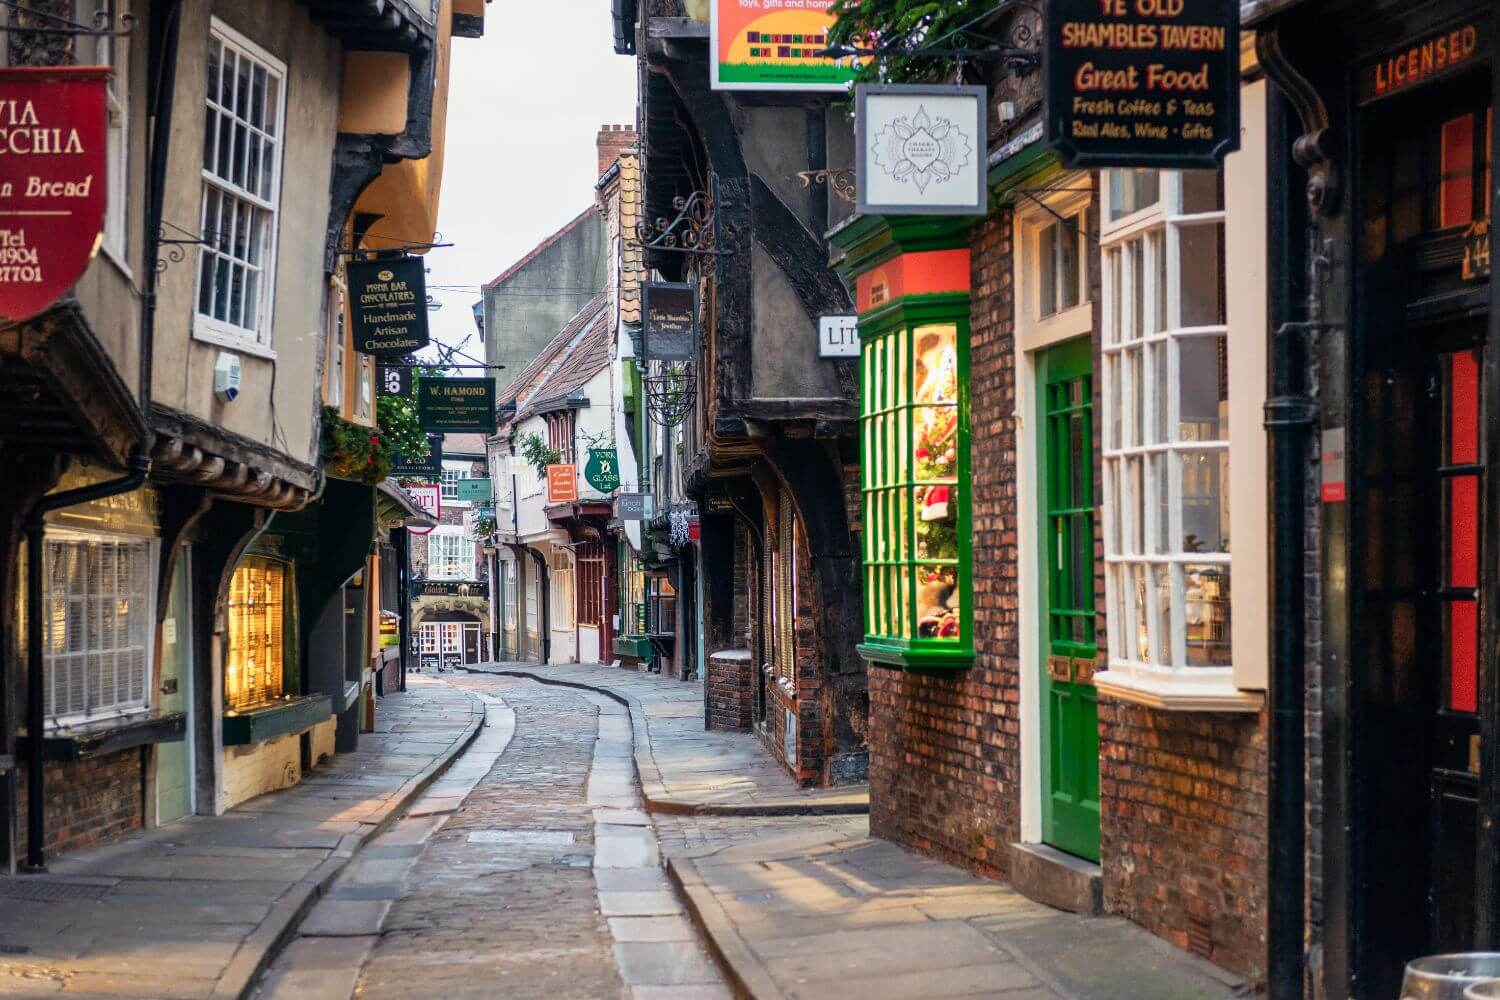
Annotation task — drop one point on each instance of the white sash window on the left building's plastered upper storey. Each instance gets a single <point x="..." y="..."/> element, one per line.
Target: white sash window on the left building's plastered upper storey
<point x="242" y="155"/>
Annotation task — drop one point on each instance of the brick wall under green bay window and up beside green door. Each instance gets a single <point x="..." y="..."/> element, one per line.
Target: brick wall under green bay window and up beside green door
<point x="946" y="750"/>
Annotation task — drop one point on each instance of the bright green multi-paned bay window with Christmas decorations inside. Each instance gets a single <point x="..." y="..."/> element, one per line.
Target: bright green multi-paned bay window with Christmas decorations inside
<point x="916" y="484"/>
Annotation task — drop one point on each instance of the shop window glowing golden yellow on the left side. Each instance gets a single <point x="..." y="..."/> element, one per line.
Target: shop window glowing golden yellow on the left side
<point x="256" y="672"/>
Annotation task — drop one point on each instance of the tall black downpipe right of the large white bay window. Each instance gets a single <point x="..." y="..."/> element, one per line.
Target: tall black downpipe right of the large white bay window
<point x="1291" y="415"/>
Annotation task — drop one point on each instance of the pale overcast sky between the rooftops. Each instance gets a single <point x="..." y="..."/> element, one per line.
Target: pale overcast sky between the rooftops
<point x="524" y="107"/>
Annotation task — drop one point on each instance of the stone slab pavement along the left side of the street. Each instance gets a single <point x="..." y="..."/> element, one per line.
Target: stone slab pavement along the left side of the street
<point x="199" y="908"/>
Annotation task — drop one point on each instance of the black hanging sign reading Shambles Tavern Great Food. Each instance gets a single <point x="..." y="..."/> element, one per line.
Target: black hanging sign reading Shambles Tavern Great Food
<point x="1142" y="83"/>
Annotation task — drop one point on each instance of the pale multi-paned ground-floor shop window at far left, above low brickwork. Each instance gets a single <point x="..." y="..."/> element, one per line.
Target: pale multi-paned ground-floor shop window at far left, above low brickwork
<point x="98" y="629"/>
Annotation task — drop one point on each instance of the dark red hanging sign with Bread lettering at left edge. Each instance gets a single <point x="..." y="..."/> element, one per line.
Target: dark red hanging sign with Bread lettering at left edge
<point x="53" y="157"/>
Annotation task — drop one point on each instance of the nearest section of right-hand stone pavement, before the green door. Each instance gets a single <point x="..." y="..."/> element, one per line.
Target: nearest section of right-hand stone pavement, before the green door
<point x="827" y="911"/>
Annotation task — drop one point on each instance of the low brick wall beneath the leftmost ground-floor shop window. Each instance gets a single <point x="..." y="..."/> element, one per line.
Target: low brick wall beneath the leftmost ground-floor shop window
<point x="88" y="801"/>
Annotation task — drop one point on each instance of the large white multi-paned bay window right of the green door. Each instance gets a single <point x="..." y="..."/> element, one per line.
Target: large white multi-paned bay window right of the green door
<point x="1169" y="433"/>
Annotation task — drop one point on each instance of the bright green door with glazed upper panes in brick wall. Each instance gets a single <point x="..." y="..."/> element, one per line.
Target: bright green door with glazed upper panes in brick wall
<point x="1070" y="717"/>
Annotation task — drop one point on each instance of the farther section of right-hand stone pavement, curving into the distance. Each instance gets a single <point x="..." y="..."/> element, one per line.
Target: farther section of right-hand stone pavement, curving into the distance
<point x="685" y="768"/>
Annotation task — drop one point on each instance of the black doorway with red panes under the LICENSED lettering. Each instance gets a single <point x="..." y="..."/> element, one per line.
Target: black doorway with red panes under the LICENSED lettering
<point x="1417" y="516"/>
